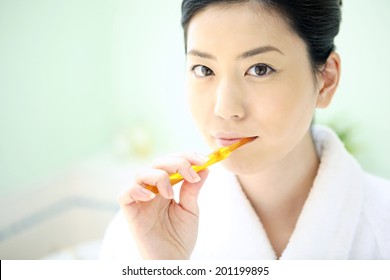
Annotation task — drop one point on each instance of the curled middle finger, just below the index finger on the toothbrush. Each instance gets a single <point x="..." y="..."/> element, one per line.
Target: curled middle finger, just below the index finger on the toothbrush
<point x="158" y="178"/>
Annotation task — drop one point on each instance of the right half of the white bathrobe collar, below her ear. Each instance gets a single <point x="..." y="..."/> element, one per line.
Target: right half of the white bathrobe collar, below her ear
<point x="329" y="218"/>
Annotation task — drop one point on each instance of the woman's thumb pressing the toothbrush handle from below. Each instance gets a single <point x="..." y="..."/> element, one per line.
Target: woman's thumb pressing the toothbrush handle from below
<point x="189" y="193"/>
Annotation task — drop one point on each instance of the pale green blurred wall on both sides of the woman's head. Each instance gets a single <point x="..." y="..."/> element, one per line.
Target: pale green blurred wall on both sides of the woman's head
<point x="76" y="74"/>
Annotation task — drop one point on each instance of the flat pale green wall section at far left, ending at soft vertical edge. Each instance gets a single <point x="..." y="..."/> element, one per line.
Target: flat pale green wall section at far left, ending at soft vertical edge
<point x="56" y="102"/>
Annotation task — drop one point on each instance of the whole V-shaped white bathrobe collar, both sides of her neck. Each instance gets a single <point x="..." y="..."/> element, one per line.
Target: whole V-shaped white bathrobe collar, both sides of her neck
<point x="326" y="225"/>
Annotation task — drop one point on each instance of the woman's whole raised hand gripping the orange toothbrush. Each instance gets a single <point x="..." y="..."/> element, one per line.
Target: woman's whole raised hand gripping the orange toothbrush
<point x="163" y="228"/>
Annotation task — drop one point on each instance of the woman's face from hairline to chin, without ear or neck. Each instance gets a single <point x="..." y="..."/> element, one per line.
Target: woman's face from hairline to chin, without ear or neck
<point x="249" y="75"/>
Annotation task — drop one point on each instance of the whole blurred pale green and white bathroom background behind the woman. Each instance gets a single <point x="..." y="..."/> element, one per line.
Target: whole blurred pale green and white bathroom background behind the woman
<point x="92" y="90"/>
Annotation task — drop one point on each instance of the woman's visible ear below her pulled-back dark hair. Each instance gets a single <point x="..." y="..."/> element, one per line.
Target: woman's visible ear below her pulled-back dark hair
<point x="329" y="80"/>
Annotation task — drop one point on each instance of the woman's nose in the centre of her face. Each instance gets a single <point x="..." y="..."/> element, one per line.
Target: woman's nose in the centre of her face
<point x="229" y="103"/>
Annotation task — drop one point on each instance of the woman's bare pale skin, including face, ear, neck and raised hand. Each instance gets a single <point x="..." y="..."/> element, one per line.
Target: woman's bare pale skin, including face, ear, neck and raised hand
<point x="259" y="84"/>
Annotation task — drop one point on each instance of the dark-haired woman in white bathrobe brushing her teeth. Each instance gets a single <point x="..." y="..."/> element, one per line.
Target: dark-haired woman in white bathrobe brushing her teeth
<point x="258" y="69"/>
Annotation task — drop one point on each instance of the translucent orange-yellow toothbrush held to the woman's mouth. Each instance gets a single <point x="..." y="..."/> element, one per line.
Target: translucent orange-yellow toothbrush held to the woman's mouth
<point x="216" y="156"/>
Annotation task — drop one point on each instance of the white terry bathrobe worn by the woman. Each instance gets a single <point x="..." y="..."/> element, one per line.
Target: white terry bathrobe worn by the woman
<point x="346" y="216"/>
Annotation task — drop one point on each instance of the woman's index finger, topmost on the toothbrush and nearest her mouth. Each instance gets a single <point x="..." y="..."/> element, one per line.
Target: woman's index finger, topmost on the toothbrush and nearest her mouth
<point x="182" y="165"/>
